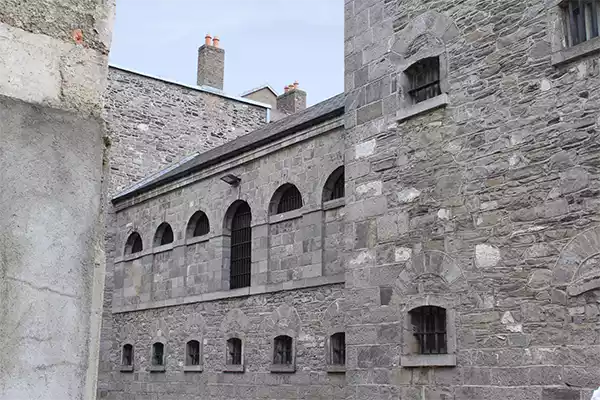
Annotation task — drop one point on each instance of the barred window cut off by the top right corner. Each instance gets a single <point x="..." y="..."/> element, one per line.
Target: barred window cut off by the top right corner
<point x="581" y="20"/>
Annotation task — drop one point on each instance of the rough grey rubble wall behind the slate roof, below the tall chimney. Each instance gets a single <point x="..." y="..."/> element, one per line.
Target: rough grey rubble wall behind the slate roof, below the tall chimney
<point x="153" y="124"/>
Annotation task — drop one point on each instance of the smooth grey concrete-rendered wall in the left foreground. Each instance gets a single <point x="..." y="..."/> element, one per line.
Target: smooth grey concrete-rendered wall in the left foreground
<point x="52" y="149"/>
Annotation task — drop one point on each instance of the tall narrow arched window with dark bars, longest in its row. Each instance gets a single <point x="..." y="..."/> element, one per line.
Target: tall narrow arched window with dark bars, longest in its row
<point x="241" y="247"/>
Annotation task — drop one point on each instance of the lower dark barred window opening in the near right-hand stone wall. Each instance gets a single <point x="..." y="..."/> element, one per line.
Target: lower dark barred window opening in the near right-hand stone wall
<point x="429" y="328"/>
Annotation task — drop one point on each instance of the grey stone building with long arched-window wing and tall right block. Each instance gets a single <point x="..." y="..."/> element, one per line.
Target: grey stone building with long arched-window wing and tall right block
<point x="431" y="234"/>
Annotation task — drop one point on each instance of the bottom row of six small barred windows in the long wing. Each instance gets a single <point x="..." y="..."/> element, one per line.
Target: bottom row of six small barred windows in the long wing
<point x="283" y="352"/>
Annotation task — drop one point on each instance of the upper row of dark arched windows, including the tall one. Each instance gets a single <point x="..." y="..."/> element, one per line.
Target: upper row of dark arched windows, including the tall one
<point x="238" y="222"/>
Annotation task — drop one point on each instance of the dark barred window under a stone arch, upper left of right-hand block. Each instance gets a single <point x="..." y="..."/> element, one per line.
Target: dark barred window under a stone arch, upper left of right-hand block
<point x="424" y="78"/>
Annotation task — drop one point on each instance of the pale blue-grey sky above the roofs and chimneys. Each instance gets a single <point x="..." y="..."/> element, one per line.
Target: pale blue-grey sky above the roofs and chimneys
<point x="265" y="41"/>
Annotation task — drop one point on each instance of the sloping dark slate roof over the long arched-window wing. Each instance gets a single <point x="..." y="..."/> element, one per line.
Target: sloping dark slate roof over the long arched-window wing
<point x="328" y="109"/>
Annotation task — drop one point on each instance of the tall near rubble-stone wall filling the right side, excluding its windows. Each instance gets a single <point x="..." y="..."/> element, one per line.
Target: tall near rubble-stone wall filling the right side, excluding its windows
<point x="486" y="205"/>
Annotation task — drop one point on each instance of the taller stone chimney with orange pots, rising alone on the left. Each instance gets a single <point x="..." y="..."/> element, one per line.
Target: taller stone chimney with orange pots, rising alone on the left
<point x="211" y="63"/>
